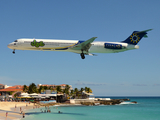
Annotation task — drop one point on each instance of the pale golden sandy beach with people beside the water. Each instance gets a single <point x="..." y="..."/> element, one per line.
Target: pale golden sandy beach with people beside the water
<point x="14" y="110"/>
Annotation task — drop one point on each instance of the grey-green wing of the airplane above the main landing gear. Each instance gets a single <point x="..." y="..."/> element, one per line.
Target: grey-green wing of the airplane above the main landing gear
<point x="84" y="46"/>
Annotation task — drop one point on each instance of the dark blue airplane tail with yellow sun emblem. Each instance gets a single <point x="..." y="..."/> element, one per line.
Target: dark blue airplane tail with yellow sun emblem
<point x="136" y="36"/>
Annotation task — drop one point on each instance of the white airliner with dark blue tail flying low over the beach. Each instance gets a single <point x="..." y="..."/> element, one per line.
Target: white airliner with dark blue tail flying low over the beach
<point x="81" y="47"/>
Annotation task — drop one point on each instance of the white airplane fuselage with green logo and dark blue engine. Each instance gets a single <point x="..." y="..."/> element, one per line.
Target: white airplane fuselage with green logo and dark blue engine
<point x="67" y="45"/>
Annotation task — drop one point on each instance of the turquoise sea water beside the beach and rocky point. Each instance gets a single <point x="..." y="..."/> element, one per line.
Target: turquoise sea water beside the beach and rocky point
<point x="148" y="108"/>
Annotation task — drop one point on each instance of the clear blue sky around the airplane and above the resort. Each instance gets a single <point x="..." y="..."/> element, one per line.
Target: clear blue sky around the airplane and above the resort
<point x="130" y="73"/>
